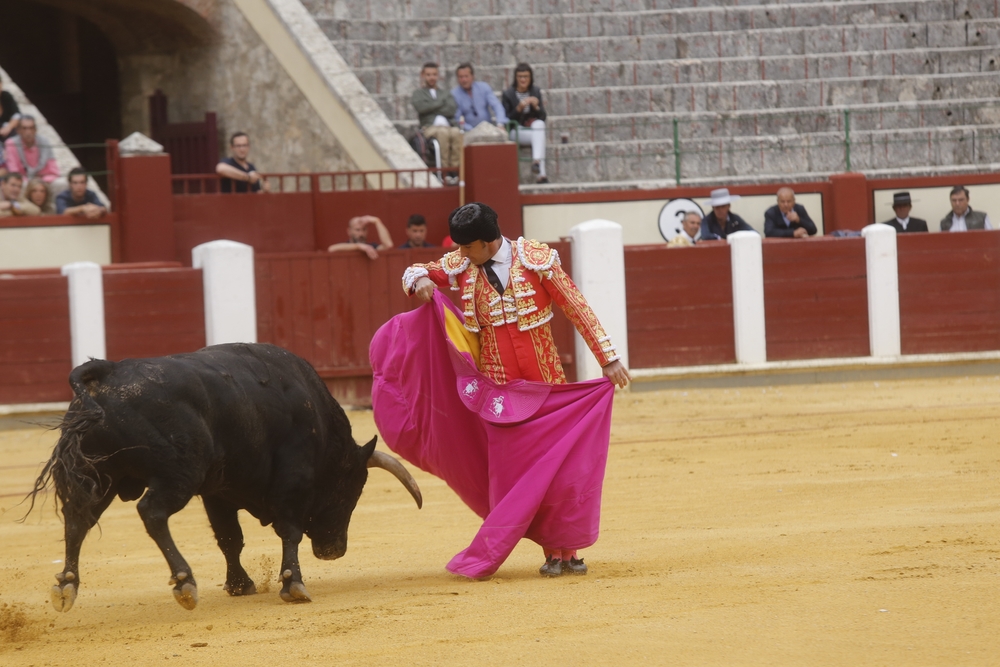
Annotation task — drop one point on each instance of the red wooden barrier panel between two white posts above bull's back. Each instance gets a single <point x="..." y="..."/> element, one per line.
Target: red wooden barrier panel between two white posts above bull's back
<point x="152" y="312"/>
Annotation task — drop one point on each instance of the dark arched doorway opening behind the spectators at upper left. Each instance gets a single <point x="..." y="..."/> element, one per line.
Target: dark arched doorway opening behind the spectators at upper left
<point x="69" y="70"/>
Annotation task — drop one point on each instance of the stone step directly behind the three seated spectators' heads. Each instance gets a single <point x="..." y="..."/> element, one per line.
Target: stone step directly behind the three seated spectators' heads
<point x="907" y="62"/>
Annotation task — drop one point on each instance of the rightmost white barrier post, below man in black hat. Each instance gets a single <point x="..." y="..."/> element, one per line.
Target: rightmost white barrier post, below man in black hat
<point x="883" y="290"/>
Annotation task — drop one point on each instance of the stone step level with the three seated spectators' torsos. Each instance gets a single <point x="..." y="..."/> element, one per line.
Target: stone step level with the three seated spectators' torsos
<point x="736" y="96"/>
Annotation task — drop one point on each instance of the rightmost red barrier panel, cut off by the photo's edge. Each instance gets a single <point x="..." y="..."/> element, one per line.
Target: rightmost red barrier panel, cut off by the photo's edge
<point x="949" y="292"/>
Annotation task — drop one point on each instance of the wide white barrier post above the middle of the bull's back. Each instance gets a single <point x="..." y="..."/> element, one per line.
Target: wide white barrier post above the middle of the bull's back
<point x="230" y="298"/>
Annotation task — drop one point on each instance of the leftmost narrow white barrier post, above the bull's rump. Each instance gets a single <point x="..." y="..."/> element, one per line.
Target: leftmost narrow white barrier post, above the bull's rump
<point x="86" y="311"/>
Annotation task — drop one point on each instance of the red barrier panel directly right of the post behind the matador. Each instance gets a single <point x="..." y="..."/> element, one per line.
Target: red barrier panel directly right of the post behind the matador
<point x="680" y="305"/>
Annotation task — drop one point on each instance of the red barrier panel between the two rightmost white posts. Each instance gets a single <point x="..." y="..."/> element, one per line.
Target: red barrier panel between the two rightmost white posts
<point x="815" y="298"/>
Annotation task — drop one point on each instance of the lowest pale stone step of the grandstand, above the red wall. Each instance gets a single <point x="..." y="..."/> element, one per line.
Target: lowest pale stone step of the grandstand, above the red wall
<point x="817" y="153"/>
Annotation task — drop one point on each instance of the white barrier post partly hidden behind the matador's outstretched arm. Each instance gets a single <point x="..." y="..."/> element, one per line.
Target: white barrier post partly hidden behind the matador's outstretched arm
<point x="599" y="272"/>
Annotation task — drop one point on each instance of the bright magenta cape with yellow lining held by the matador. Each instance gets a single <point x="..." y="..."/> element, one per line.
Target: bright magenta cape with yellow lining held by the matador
<point x="528" y="457"/>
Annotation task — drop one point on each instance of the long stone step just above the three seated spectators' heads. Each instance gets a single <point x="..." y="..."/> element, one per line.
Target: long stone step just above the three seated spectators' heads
<point x="741" y="44"/>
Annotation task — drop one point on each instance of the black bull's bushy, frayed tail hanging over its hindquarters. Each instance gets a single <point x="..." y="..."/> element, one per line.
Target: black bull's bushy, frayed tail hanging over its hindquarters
<point x="78" y="482"/>
